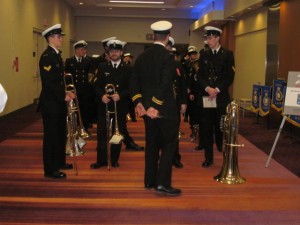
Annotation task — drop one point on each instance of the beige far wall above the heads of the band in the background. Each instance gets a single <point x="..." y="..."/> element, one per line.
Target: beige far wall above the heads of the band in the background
<point x="127" y="29"/>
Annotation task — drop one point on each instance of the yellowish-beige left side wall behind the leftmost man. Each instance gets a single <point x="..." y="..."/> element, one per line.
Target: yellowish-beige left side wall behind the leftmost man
<point x="18" y="19"/>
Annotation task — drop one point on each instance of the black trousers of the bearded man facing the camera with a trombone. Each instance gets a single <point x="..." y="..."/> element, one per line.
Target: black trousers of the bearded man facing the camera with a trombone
<point x="102" y="138"/>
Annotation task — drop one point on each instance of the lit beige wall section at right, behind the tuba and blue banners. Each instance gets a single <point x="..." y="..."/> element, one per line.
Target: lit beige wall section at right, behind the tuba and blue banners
<point x="250" y="53"/>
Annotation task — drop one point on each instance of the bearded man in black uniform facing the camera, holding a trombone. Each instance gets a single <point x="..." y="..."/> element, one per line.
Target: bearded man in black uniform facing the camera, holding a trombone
<point x="114" y="72"/>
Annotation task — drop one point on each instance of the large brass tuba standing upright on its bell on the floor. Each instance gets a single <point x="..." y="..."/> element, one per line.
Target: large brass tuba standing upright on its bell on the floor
<point x="229" y="173"/>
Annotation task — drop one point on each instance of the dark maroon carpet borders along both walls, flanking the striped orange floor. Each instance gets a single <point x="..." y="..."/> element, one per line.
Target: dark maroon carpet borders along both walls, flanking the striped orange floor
<point x="287" y="151"/>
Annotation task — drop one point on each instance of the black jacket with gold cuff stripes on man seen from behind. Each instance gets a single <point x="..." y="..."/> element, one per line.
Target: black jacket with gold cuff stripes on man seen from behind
<point x="152" y="81"/>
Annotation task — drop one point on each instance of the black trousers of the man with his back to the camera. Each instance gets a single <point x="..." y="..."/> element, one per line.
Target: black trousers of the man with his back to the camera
<point x="160" y="134"/>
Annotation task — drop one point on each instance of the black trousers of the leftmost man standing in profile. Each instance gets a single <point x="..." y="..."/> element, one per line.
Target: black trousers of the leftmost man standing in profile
<point x="54" y="141"/>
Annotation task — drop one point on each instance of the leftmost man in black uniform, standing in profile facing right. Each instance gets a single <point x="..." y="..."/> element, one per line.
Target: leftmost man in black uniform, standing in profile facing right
<point x="53" y="105"/>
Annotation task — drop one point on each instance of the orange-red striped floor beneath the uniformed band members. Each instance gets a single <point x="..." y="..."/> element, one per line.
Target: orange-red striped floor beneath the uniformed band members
<point x="269" y="196"/>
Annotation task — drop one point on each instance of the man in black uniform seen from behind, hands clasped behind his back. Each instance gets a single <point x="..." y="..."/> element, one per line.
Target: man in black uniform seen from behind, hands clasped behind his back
<point x="152" y="92"/>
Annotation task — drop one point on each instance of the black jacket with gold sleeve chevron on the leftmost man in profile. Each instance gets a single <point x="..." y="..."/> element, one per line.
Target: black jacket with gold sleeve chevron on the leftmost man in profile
<point x="52" y="98"/>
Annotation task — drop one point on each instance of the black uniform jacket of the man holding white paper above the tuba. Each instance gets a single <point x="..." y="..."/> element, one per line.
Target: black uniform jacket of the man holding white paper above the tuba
<point x="216" y="71"/>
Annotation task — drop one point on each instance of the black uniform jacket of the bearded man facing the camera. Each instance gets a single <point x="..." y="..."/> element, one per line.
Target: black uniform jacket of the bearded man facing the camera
<point x="119" y="77"/>
